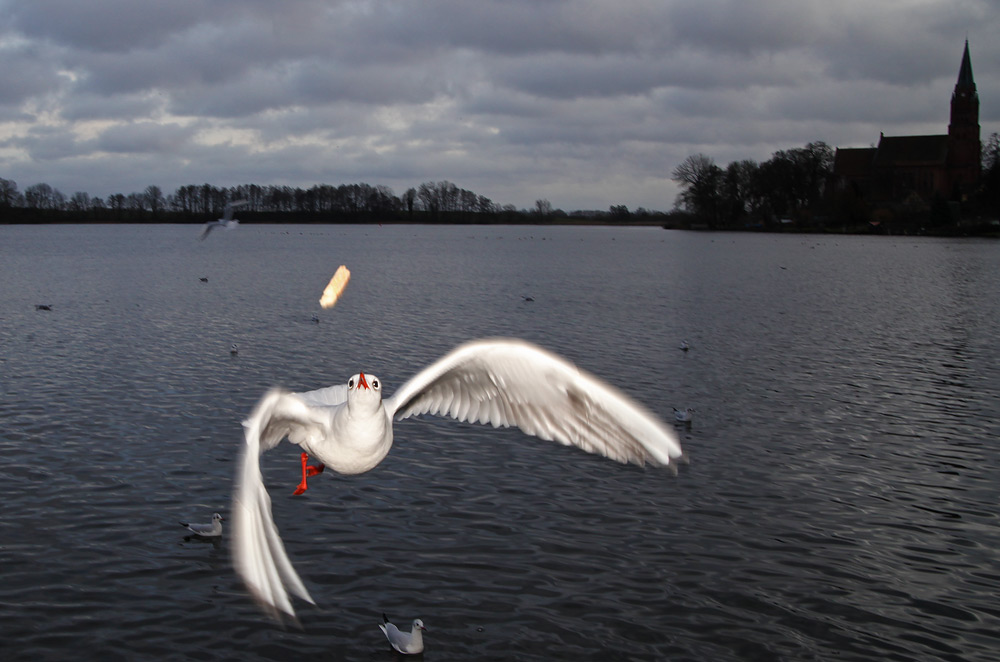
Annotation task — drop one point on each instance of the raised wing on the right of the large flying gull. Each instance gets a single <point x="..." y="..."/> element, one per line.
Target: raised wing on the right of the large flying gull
<point x="509" y="382"/>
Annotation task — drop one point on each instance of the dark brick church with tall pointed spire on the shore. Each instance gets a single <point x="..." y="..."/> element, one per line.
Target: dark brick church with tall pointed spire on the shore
<point x="944" y="167"/>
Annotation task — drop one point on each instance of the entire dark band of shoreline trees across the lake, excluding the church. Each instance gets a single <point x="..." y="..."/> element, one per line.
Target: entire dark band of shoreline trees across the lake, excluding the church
<point x="791" y="192"/>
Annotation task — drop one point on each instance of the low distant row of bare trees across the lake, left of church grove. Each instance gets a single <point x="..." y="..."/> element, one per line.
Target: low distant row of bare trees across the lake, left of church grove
<point x="431" y="202"/>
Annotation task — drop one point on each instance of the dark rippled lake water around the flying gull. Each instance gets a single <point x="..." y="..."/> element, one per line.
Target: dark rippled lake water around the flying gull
<point x="841" y="500"/>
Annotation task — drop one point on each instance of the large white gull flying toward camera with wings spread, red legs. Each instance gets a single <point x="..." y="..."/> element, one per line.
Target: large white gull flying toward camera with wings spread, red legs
<point x="349" y="427"/>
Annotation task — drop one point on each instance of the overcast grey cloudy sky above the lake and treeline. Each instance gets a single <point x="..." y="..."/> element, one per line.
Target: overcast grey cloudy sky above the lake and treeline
<point x="584" y="103"/>
